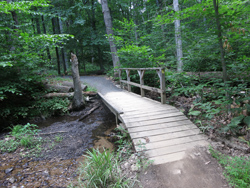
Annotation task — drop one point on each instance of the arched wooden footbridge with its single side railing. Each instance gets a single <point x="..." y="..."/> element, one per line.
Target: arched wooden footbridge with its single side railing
<point x="161" y="130"/>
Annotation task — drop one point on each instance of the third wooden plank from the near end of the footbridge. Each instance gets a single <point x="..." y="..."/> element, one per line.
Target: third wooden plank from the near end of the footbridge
<point x="172" y="142"/>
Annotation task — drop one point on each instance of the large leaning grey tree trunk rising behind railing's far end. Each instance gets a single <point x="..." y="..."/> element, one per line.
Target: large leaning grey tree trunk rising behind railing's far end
<point x="108" y="24"/>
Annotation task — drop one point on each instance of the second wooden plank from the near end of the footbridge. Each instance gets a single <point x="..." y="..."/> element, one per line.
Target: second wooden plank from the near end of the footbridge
<point x="175" y="148"/>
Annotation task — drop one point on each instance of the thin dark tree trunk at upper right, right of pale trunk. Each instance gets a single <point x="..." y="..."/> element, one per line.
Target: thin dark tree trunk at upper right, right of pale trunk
<point x="216" y="8"/>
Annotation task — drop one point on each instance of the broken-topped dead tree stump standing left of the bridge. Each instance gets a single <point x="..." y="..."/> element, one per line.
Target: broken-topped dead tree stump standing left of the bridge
<point x="78" y="100"/>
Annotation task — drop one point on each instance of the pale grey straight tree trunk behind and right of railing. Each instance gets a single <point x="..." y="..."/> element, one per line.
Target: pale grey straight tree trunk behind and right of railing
<point x="178" y="40"/>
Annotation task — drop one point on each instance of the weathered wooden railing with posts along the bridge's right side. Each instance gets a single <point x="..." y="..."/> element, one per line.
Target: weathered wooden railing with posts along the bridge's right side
<point x="141" y="71"/>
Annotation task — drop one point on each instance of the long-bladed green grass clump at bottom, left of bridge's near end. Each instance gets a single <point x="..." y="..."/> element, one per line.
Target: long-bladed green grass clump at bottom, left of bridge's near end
<point x="102" y="170"/>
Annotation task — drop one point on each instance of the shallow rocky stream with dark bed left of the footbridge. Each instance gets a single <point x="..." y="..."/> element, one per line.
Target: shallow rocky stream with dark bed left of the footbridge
<point x="65" y="140"/>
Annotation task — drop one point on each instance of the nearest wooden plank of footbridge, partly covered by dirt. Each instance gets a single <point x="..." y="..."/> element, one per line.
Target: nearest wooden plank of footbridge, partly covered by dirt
<point x="167" y="158"/>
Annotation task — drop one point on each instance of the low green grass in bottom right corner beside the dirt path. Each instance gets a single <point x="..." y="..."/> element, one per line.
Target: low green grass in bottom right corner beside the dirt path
<point x="237" y="169"/>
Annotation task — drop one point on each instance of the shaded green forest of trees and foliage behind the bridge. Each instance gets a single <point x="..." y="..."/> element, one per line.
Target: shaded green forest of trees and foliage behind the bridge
<point x="37" y="38"/>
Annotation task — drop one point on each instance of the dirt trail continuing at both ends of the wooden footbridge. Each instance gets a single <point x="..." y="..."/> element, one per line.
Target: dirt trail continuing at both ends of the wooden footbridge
<point x="198" y="169"/>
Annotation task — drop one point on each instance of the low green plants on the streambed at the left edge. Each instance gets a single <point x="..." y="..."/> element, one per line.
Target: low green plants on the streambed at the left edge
<point x="21" y="135"/>
